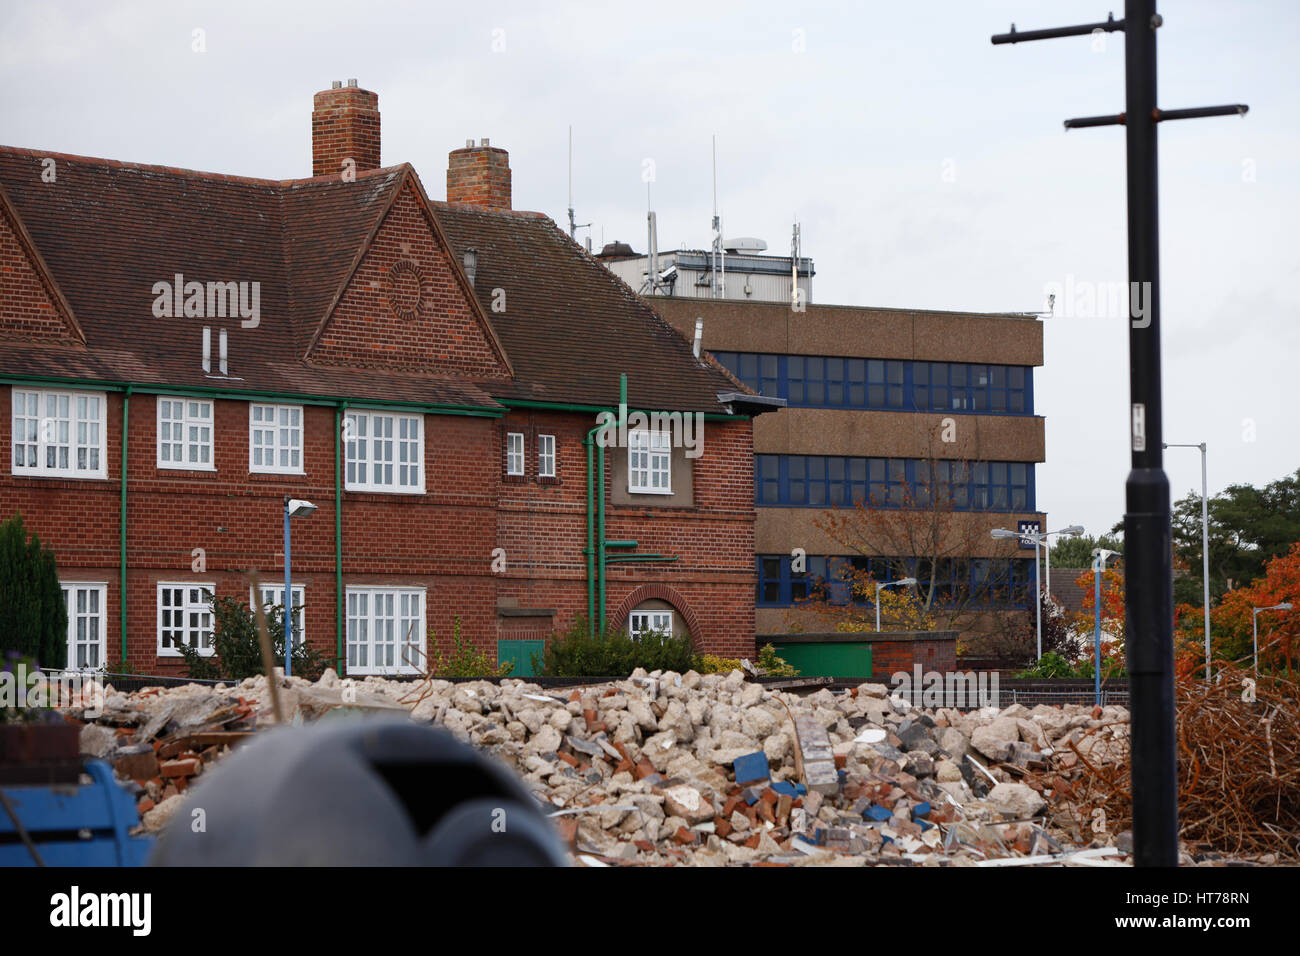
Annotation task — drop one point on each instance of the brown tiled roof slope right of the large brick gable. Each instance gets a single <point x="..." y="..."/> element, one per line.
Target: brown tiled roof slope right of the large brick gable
<point x="570" y="326"/>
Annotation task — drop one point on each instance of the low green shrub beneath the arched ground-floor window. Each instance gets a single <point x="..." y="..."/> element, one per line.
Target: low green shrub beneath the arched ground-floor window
<point x="575" y="654"/>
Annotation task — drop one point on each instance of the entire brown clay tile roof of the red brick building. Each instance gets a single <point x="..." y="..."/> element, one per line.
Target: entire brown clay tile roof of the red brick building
<point x="109" y="231"/>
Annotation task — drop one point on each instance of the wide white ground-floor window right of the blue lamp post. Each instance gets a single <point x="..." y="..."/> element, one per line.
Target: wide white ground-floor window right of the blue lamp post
<point x="385" y="630"/>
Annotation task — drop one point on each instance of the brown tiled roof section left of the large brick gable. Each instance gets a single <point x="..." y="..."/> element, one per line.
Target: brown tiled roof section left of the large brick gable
<point x="110" y="232"/>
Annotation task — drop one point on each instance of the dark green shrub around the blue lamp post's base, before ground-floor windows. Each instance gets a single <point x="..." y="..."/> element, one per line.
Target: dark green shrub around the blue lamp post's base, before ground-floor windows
<point x="239" y="650"/>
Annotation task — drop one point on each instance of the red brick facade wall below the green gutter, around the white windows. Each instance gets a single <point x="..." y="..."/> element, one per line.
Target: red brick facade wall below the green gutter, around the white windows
<point x="443" y="540"/>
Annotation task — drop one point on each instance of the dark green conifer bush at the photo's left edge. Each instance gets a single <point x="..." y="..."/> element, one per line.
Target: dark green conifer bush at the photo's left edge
<point x="33" y="613"/>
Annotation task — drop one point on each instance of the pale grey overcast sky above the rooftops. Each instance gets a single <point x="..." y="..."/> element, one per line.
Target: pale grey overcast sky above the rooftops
<point x="929" y="168"/>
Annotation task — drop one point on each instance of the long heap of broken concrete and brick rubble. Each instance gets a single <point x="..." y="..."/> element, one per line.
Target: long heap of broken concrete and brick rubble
<point x="691" y="769"/>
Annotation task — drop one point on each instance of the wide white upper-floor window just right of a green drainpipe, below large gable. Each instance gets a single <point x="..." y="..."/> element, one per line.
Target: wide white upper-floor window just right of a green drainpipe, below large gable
<point x="385" y="452"/>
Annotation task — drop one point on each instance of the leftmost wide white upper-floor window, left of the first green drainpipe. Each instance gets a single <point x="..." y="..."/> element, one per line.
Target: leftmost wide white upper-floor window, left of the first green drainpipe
<point x="59" y="434"/>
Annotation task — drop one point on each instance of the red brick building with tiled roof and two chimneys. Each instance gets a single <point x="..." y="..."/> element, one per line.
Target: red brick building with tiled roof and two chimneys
<point x="428" y="375"/>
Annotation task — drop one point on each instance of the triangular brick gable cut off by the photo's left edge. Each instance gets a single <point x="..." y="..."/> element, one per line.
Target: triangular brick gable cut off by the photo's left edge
<point x="33" y="306"/>
